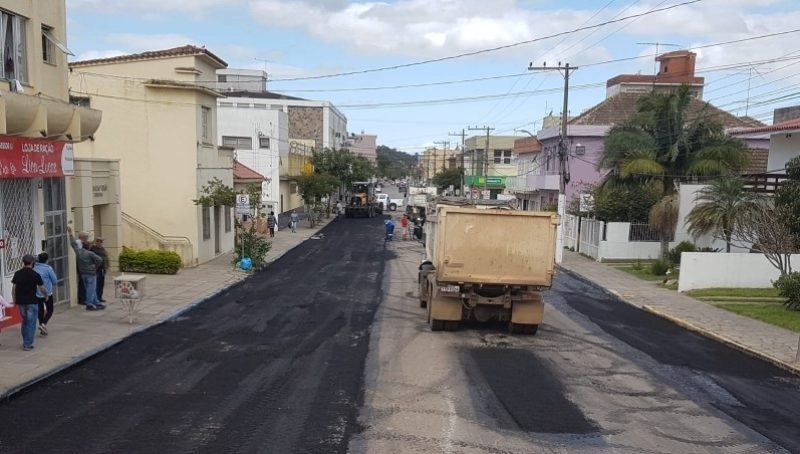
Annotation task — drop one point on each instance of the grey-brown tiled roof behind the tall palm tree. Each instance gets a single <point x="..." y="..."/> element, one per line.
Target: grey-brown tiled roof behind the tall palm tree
<point x="622" y="106"/>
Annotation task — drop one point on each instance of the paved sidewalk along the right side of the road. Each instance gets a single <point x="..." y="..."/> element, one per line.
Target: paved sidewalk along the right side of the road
<point x="769" y="342"/>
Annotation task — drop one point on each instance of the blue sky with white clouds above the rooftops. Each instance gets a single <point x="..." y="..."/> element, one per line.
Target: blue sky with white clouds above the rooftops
<point x="413" y="84"/>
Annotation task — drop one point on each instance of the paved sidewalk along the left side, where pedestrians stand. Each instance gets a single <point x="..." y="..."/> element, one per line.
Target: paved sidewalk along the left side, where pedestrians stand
<point x="76" y="334"/>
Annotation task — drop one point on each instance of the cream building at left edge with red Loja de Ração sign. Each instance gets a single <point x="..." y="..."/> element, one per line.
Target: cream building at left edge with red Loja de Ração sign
<point x="38" y="130"/>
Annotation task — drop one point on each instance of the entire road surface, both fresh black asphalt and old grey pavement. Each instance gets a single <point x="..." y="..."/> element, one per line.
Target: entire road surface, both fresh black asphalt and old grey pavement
<point x="327" y="351"/>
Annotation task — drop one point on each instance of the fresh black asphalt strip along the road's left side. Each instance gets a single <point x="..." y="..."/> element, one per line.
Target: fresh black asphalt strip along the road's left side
<point x="273" y="365"/>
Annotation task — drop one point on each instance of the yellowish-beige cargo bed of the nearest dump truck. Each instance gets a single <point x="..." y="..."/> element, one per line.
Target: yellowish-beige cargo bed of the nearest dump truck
<point x="492" y="246"/>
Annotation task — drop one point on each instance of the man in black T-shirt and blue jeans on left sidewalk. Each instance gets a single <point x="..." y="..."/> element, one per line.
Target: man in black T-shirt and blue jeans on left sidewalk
<point x="26" y="282"/>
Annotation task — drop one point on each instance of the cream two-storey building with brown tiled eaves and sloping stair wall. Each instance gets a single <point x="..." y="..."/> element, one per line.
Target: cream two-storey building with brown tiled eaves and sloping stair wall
<point x="161" y="108"/>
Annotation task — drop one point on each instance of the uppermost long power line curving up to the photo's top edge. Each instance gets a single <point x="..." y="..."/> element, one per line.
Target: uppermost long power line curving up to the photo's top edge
<point x="492" y="49"/>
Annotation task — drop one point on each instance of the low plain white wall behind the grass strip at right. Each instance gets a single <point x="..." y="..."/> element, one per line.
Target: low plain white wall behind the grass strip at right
<point x="720" y="270"/>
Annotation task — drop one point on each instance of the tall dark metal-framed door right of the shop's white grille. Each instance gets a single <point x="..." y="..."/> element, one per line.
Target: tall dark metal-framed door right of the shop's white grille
<point x="56" y="242"/>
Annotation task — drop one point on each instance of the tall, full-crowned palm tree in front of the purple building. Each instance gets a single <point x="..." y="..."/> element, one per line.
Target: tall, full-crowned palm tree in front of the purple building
<point x="659" y="145"/>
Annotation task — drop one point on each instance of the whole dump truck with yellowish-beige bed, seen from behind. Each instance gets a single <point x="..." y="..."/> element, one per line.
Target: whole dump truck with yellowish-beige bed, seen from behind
<point x="486" y="261"/>
